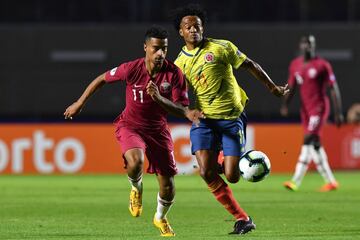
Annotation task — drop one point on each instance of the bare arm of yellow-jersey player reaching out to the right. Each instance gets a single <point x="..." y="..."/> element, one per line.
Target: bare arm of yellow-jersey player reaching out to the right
<point x="255" y="69"/>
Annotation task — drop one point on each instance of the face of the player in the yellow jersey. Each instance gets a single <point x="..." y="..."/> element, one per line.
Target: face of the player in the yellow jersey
<point x="191" y="29"/>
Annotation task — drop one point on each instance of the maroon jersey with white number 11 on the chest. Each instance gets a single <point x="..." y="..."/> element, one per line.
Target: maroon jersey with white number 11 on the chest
<point x="141" y="111"/>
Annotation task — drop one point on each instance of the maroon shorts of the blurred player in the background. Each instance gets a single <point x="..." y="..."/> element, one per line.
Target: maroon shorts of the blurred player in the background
<point x="313" y="121"/>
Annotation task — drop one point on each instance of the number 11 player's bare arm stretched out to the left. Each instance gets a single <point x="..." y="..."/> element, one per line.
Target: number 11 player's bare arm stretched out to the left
<point x="76" y="107"/>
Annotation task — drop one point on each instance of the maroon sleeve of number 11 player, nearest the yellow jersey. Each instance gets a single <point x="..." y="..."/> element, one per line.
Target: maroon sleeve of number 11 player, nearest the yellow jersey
<point x="179" y="91"/>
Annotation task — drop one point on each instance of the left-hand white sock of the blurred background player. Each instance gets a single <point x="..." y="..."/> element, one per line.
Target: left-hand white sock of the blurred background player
<point x="302" y="164"/>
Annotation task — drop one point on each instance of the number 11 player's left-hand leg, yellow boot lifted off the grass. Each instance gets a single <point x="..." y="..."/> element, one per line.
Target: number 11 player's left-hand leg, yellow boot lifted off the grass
<point x="133" y="147"/>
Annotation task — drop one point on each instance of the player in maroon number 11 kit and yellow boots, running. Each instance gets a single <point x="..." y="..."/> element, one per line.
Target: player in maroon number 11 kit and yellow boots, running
<point x="154" y="86"/>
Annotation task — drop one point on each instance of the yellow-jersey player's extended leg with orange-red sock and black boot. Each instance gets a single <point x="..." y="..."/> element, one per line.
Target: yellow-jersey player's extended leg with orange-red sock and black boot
<point x="204" y="145"/>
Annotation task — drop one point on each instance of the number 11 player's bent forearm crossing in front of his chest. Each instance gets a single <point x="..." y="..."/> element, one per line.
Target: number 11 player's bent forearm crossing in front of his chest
<point x="175" y="109"/>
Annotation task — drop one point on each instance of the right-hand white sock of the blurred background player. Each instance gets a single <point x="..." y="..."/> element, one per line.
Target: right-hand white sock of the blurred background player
<point x="322" y="164"/>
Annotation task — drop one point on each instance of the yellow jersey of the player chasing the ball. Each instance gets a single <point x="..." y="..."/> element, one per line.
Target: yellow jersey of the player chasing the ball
<point x="209" y="71"/>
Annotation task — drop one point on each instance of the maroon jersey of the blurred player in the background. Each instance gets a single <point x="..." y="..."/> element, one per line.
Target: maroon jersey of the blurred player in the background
<point x="312" y="78"/>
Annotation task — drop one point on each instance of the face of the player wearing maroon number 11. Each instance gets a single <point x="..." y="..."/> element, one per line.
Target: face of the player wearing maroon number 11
<point x="156" y="50"/>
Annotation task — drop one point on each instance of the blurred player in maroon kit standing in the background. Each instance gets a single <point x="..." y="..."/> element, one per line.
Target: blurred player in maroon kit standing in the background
<point x="312" y="75"/>
